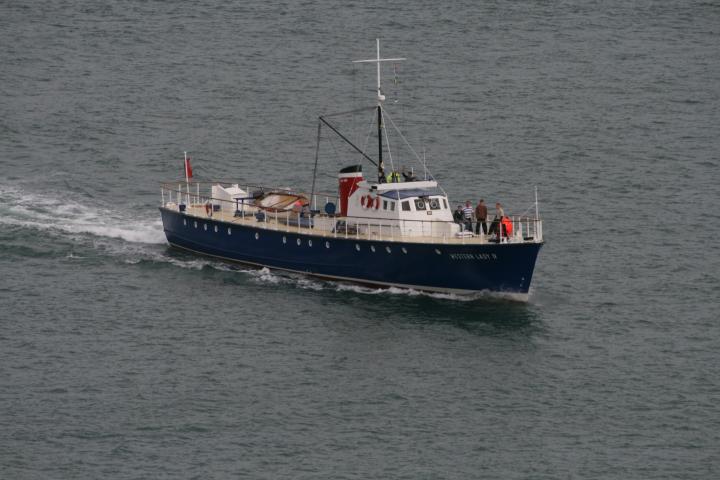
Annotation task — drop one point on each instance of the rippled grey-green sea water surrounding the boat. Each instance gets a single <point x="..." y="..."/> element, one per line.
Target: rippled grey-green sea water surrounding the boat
<point x="121" y="358"/>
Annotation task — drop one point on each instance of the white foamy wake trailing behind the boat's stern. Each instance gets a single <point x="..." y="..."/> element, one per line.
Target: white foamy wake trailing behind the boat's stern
<point x="50" y="212"/>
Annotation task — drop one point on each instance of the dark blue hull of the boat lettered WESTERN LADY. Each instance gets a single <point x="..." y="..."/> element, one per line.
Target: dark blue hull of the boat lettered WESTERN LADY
<point x="457" y="268"/>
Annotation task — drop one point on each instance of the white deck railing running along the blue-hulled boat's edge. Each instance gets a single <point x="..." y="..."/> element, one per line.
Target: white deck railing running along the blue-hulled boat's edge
<point x="194" y="198"/>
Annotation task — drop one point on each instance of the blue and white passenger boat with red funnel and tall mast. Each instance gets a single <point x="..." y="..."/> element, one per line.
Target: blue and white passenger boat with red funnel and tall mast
<point x="384" y="231"/>
